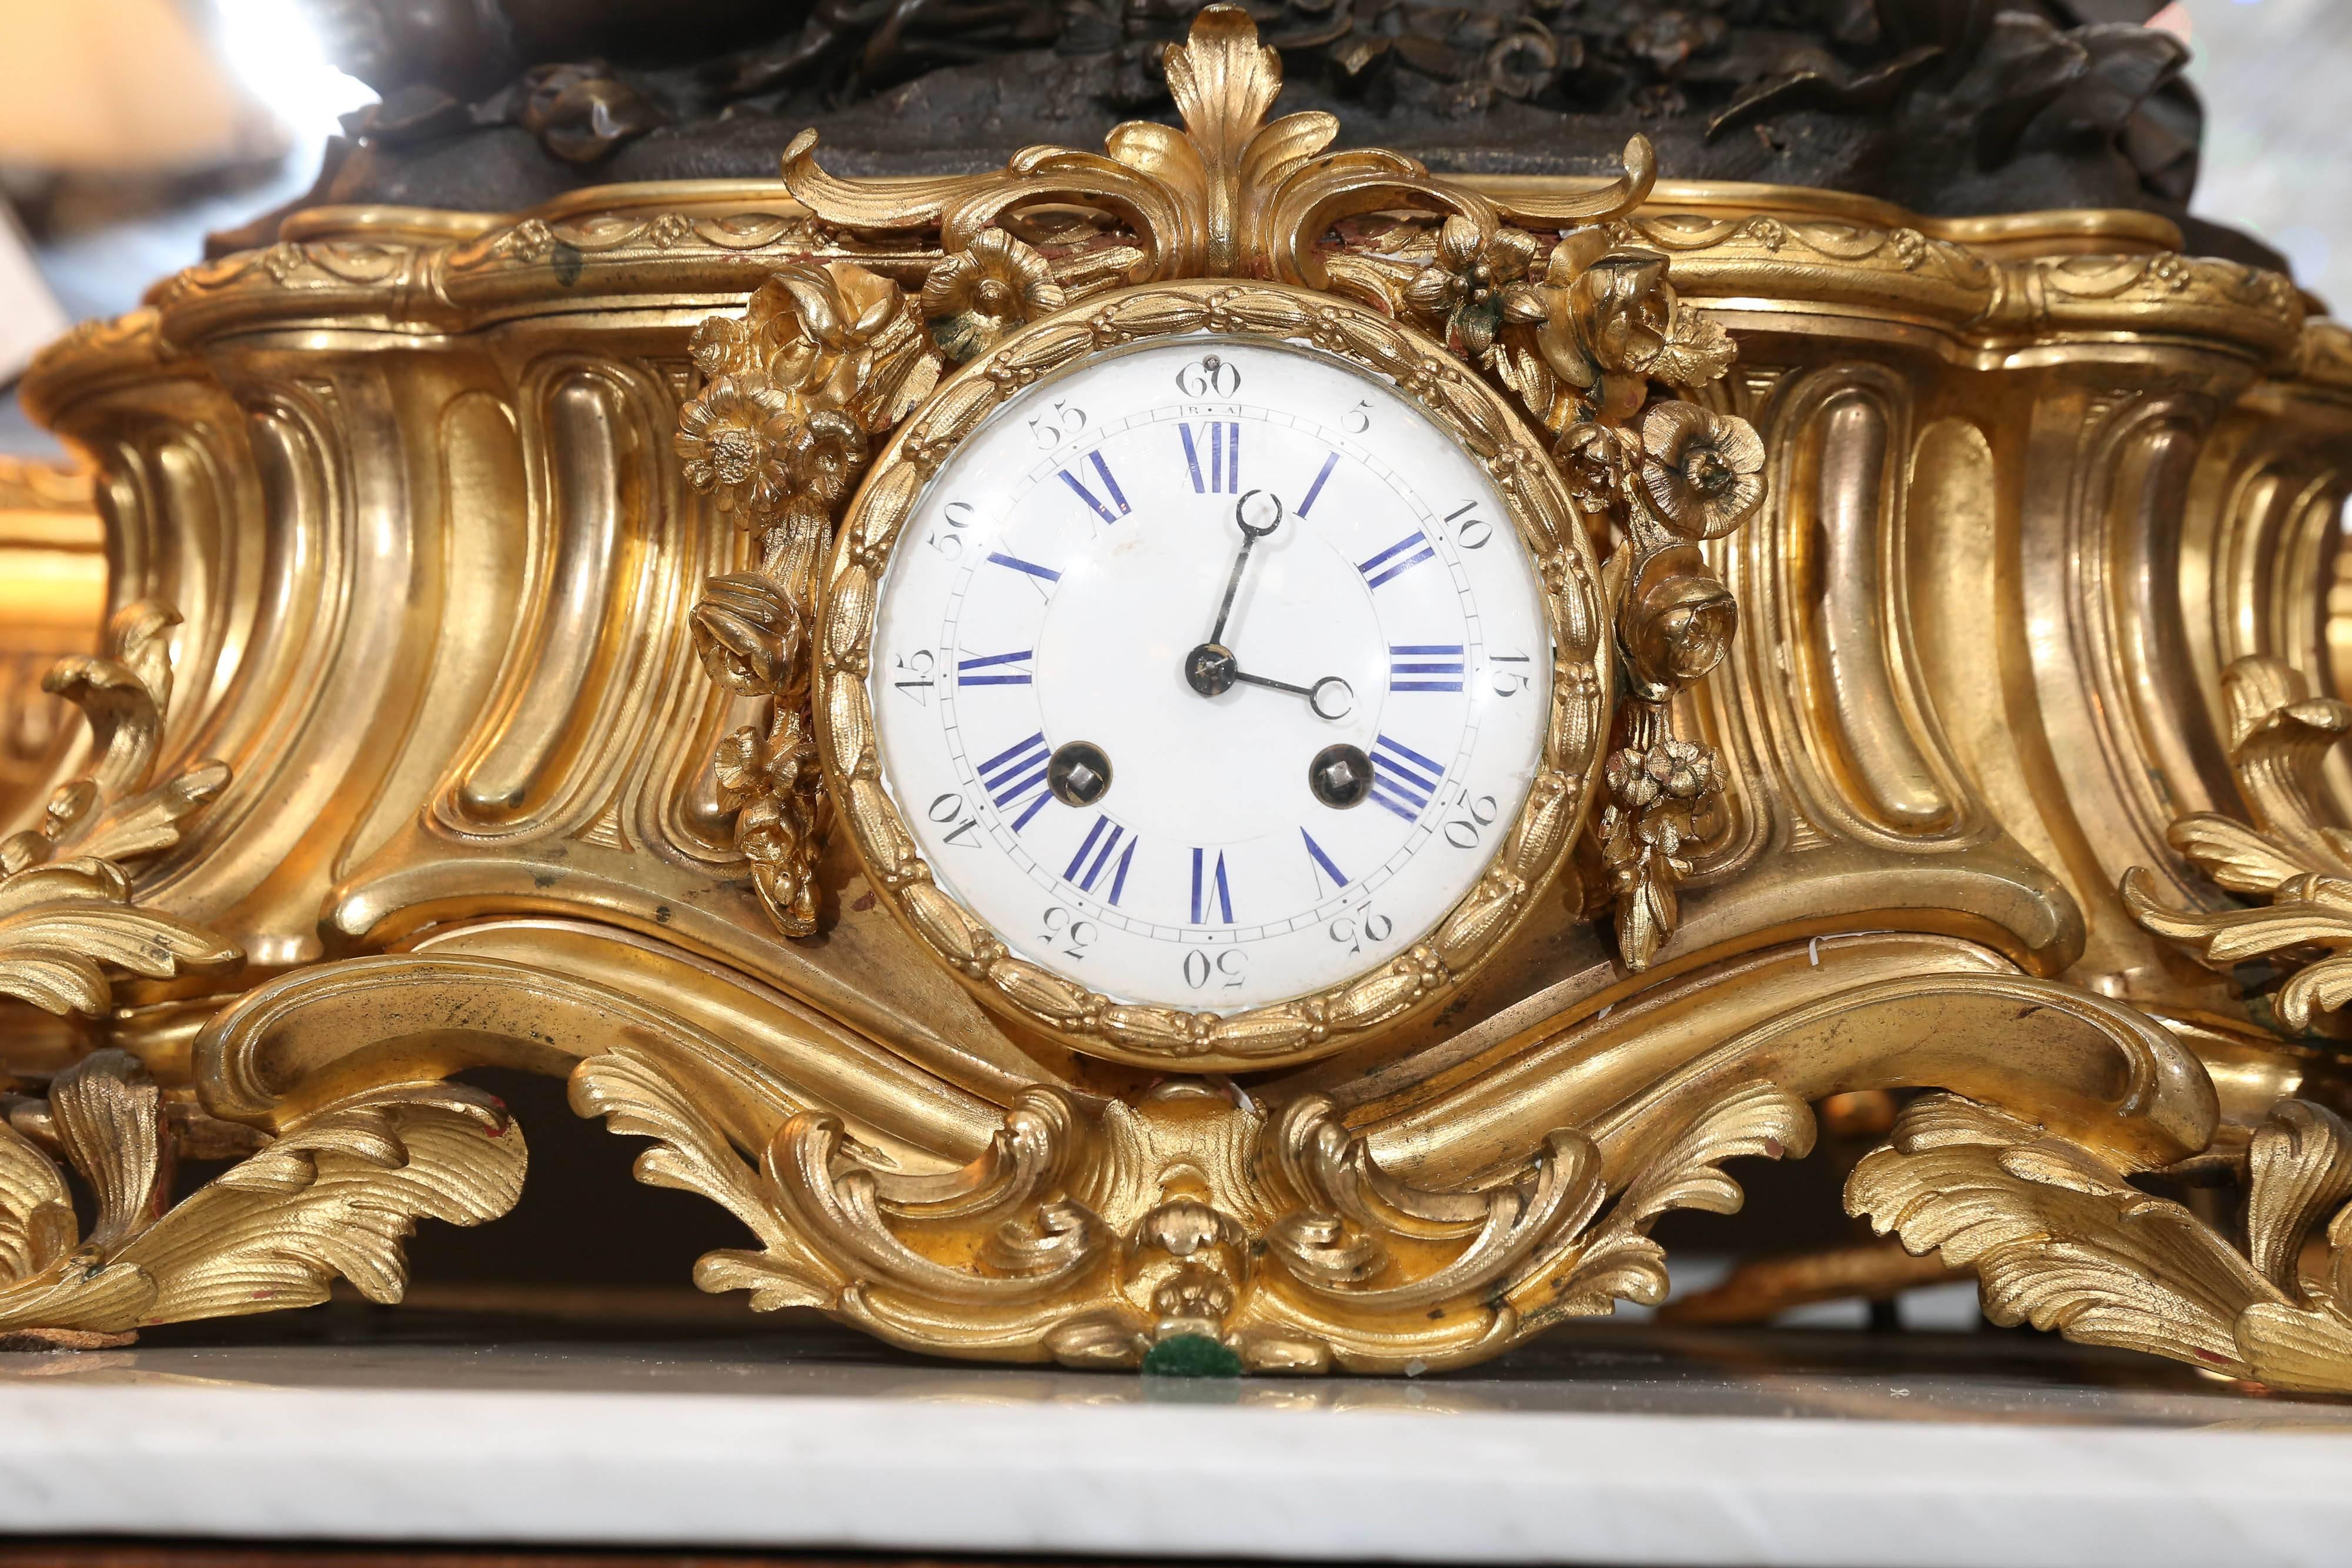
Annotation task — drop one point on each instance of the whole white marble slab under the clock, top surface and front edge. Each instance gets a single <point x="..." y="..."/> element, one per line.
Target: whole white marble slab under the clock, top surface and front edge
<point x="695" y="1447"/>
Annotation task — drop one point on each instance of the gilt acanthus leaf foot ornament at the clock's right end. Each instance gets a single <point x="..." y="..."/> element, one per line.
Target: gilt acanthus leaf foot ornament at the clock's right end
<point x="2059" y="1233"/>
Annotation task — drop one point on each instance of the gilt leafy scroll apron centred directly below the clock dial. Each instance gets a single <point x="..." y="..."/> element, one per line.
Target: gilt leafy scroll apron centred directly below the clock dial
<point x="1093" y="1238"/>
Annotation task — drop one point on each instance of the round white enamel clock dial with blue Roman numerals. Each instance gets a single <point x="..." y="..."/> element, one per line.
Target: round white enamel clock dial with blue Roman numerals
<point x="1182" y="800"/>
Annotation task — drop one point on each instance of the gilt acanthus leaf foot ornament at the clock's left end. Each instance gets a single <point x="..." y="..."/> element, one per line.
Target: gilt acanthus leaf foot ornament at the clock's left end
<point x="330" y="1195"/>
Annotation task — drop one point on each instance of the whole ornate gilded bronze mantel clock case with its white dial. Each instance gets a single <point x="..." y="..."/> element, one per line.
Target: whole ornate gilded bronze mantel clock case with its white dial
<point x="1217" y="744"/>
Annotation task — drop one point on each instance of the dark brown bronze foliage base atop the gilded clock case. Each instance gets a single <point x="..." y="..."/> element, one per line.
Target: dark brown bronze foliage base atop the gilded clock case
<point x="1937" y="105"/>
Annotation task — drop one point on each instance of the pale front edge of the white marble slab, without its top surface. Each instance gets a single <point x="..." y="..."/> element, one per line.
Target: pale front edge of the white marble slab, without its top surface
<point x="947" y="1475"/>
